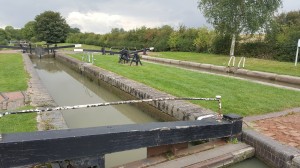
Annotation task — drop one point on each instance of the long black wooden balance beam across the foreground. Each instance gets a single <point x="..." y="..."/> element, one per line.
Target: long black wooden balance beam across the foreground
<point x="38" y="147"/>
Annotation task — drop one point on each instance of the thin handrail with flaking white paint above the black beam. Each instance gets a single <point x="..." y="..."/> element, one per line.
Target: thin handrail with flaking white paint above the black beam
<point x="218" y="98"/>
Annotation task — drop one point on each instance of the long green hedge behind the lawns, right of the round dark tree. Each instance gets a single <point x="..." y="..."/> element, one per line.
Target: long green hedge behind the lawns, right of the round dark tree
<point x="278" y="41"/>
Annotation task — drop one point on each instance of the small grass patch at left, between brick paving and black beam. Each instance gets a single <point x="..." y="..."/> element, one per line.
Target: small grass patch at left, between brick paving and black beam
<point x="19" y="122"/>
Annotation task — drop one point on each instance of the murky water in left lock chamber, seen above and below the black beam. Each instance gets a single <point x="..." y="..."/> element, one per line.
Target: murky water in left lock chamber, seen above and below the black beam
<point x="68" y="87"/>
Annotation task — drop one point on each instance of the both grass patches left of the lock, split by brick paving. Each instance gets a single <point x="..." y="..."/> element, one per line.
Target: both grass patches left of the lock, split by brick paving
<point x="13" y="77"/>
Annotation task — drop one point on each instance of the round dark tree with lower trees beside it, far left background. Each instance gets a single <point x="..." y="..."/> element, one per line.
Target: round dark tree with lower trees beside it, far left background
<point x="49" y="26"/>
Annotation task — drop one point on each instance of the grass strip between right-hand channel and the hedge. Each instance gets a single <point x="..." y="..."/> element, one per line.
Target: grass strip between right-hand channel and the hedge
<point x="286" y="68"/>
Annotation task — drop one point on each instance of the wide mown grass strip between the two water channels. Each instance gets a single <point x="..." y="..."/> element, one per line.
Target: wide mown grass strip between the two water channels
<point x="240" y="97"/>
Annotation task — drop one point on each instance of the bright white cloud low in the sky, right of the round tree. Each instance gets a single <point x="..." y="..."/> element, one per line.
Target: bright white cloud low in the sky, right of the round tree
<point x="103" y="22"/>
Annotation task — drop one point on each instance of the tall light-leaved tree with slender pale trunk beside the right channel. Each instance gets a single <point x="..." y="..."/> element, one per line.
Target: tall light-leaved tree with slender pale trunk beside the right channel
<point x="235" y="16"/>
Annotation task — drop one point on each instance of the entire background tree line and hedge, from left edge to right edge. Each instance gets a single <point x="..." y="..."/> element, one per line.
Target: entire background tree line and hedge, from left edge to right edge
<point x="277" y="41"/>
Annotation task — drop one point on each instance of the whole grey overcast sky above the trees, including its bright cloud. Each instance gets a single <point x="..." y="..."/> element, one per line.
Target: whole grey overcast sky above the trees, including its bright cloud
<point x="100" y="16"/>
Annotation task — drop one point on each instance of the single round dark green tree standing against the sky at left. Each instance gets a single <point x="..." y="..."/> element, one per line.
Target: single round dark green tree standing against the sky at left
<point x="51" y="27"/>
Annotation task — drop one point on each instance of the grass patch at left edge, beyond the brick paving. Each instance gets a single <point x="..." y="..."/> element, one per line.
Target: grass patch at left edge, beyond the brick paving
<point x="13" y="76"/>
